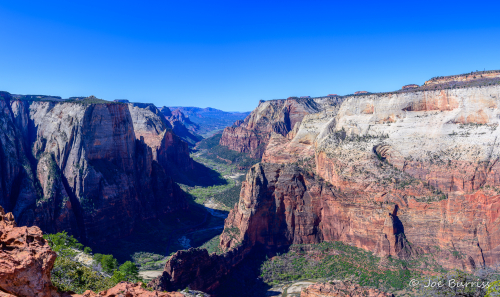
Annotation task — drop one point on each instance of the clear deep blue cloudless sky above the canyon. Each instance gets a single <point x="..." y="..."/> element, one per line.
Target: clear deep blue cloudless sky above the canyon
<point x="230" y="54"/>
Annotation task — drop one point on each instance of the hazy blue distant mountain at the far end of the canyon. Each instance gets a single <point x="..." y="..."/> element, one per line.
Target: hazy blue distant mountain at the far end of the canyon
<point x="210" y="120"/>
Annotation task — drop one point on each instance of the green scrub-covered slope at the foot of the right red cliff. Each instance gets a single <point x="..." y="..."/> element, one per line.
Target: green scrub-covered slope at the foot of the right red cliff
<point x="340" y="261"/>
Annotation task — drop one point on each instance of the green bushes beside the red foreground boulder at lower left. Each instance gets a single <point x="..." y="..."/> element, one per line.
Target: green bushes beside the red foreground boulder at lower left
<point x="71" y="274"/>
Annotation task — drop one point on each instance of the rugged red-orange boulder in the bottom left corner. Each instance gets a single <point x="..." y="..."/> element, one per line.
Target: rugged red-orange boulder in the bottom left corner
<point x="25" y="260"/>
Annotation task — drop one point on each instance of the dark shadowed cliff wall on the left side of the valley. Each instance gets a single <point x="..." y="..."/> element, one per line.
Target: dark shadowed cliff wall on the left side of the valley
<point x="79" y="167"/>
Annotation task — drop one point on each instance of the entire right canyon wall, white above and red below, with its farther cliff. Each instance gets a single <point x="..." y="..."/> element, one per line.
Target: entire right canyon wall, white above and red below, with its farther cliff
<point x="408" y="175"/>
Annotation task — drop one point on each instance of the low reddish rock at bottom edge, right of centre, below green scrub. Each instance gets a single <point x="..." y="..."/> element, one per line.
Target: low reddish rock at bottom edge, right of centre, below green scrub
<point x="341" y="289"/>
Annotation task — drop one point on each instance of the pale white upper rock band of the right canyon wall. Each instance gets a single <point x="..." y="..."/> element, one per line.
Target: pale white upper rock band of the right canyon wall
<point x="447" y="138"/>
